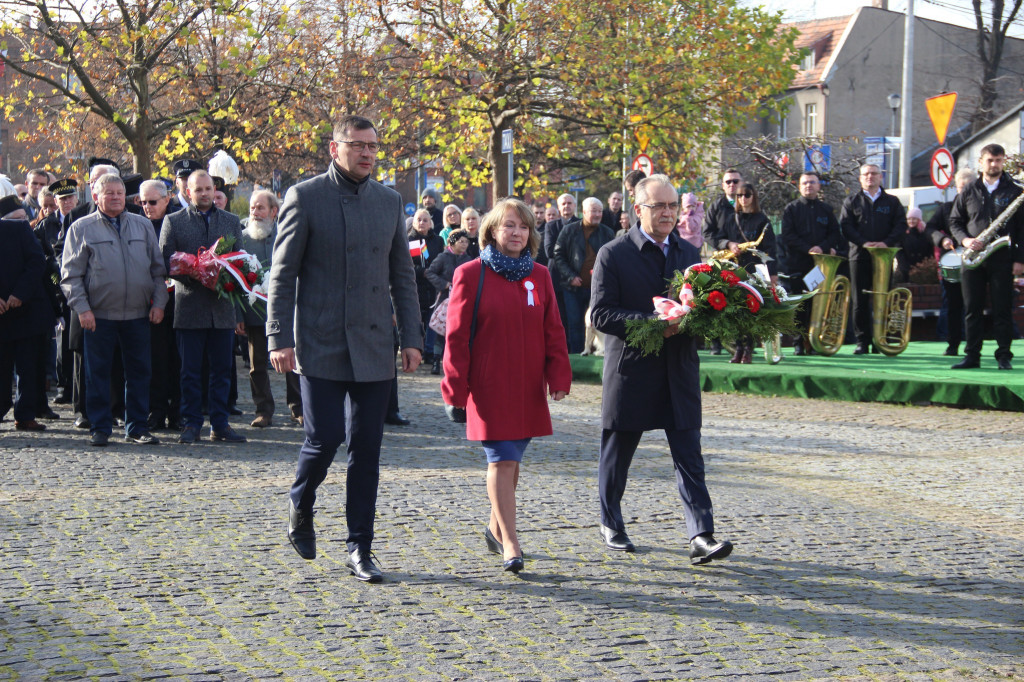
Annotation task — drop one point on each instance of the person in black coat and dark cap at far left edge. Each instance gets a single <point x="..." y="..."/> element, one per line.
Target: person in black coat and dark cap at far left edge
<point x="26" y="316"/>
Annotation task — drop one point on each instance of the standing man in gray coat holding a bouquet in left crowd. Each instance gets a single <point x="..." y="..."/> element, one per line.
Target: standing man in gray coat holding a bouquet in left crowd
<point x="204" y="323"/>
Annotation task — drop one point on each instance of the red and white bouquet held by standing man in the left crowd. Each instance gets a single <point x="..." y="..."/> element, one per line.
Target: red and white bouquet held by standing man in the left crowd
<point x="237" y="276"/>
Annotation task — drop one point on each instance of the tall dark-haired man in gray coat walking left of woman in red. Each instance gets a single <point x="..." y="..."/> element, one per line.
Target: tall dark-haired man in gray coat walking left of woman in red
<point x="340" y="261"/>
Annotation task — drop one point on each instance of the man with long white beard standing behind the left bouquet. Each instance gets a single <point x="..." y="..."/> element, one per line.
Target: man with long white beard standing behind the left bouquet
<point x="258" y="239"/>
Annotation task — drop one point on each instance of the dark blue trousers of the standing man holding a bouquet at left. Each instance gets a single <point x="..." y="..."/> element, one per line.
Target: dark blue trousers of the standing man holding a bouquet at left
<point x="218" y="345"/>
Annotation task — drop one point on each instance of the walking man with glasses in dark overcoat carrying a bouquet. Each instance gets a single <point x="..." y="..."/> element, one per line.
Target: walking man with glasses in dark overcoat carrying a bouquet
<point x="642" y="394"/>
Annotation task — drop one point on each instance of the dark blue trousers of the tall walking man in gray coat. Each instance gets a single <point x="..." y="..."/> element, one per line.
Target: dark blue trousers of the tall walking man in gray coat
<point x="332" y="411"/>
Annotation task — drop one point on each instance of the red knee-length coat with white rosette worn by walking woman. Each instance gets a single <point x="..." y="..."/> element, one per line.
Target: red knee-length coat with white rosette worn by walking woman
<point x="519" y="357"/>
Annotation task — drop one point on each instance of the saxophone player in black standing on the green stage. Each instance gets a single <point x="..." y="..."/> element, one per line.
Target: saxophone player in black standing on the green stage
<point x="974" y="209"/>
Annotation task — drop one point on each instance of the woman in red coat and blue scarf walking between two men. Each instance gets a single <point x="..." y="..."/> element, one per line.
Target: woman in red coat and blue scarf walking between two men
<point x="519" y="358"/>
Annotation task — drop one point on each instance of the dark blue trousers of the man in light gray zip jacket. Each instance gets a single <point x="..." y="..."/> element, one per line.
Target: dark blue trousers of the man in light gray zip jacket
<point x="134" y="338"/>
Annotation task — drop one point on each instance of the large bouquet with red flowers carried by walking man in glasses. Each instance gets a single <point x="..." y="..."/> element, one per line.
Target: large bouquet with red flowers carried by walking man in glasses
<point x="717" y="301"/>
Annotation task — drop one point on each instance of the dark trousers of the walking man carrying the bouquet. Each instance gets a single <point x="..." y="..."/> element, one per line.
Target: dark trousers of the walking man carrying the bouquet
<point x="618" y="449"/>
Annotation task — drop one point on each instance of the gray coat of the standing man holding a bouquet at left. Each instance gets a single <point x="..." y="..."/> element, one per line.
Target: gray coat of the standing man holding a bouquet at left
<point x="195" y="306"/>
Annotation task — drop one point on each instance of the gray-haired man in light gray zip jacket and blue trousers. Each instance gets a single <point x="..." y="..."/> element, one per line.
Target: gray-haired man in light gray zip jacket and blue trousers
<point x="113" y="278"/>
